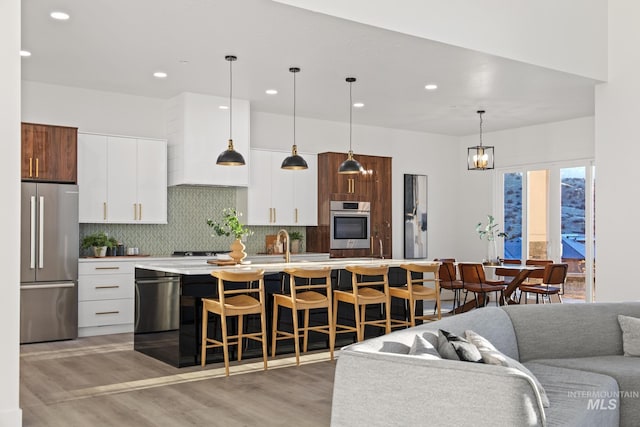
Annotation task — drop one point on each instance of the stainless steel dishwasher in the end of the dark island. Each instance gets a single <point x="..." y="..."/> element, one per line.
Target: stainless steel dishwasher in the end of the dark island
<point x="157" y="301"/>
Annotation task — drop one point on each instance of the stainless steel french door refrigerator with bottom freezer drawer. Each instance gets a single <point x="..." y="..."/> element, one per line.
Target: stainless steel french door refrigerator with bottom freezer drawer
<point x="49" y="262"/>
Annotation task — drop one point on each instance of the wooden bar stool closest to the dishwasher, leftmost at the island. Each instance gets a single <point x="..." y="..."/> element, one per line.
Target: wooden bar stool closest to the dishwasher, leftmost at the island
<point x="235" y="302"/>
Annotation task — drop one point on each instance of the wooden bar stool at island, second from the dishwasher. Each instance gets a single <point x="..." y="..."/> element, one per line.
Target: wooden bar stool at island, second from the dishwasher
<point x="309" y="289"/>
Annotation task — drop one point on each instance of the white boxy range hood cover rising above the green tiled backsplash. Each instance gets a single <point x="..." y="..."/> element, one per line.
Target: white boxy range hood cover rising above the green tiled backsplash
<point x="198" y="132"/>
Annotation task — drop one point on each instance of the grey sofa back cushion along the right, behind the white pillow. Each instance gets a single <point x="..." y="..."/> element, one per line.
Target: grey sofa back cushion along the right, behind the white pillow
<point x="568" y="330"/>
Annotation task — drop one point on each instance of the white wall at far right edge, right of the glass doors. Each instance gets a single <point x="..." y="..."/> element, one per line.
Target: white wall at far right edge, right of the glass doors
<point x="617" y="153"/>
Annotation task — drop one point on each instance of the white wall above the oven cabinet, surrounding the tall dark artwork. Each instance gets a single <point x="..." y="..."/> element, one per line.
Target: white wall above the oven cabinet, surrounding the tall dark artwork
<point x="412" y="152"/>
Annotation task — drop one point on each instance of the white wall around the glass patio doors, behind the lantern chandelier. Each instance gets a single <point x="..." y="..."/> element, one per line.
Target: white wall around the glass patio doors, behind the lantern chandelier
<point x="540" y="144"/>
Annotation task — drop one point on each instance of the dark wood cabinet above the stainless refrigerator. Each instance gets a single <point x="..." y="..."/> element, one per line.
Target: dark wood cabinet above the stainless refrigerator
<point x="49" y="153"/>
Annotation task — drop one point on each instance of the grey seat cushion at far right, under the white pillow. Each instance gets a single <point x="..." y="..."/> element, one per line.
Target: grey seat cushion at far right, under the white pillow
<point x="625" y="370"/>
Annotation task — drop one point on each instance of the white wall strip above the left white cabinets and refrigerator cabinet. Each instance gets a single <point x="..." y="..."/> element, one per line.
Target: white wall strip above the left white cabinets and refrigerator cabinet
<point x="93" y="111"/>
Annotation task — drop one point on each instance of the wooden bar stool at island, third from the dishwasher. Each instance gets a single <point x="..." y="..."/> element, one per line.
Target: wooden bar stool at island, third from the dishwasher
<point x="364" y="293"/>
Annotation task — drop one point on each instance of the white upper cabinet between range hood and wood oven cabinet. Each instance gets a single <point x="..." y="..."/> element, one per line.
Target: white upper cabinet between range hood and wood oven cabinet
<point x="280" y="197"/>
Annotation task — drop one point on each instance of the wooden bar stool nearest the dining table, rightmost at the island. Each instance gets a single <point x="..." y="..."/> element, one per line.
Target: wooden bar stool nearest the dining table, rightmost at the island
<point x="415" y="290"/>
